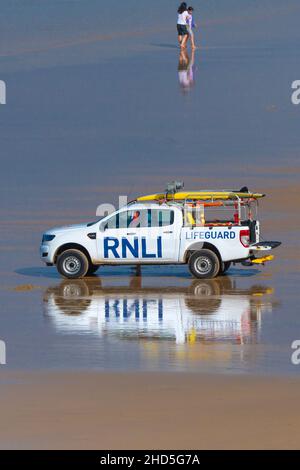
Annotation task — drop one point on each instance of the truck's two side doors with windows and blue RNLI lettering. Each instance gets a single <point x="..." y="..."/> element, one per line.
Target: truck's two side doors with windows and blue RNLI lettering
<point x="139" y="235"/>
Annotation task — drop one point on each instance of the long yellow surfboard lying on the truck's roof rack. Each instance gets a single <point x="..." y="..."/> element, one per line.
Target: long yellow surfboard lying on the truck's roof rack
<point x="200" y="195"/>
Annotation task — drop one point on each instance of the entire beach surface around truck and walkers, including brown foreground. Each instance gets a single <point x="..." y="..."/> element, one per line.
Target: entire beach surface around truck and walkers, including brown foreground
<point x="96" y="110"/>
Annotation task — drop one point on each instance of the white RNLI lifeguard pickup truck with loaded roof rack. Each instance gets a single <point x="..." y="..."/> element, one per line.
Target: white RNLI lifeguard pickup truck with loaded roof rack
<point x="207" y="230"/>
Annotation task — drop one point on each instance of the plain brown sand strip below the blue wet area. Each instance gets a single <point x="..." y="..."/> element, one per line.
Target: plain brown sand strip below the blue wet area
<point x="147" y="411"/>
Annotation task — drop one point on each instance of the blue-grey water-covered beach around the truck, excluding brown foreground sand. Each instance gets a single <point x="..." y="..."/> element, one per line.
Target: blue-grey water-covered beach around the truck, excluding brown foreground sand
<point x="95" y="110"/>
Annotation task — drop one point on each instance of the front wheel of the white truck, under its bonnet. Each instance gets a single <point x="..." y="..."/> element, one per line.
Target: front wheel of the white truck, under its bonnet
<point x="72" y="264"/>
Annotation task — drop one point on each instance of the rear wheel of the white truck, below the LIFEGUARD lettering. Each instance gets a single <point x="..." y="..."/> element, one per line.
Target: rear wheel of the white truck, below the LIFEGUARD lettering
<point x="204" y="264"/>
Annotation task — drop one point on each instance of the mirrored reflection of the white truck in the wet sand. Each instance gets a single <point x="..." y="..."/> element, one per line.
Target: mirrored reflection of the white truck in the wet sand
<point x="206" y="310"/>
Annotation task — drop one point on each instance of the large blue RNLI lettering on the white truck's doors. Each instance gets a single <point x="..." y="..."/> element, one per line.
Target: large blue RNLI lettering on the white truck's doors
<point x="116" y="248"/>
